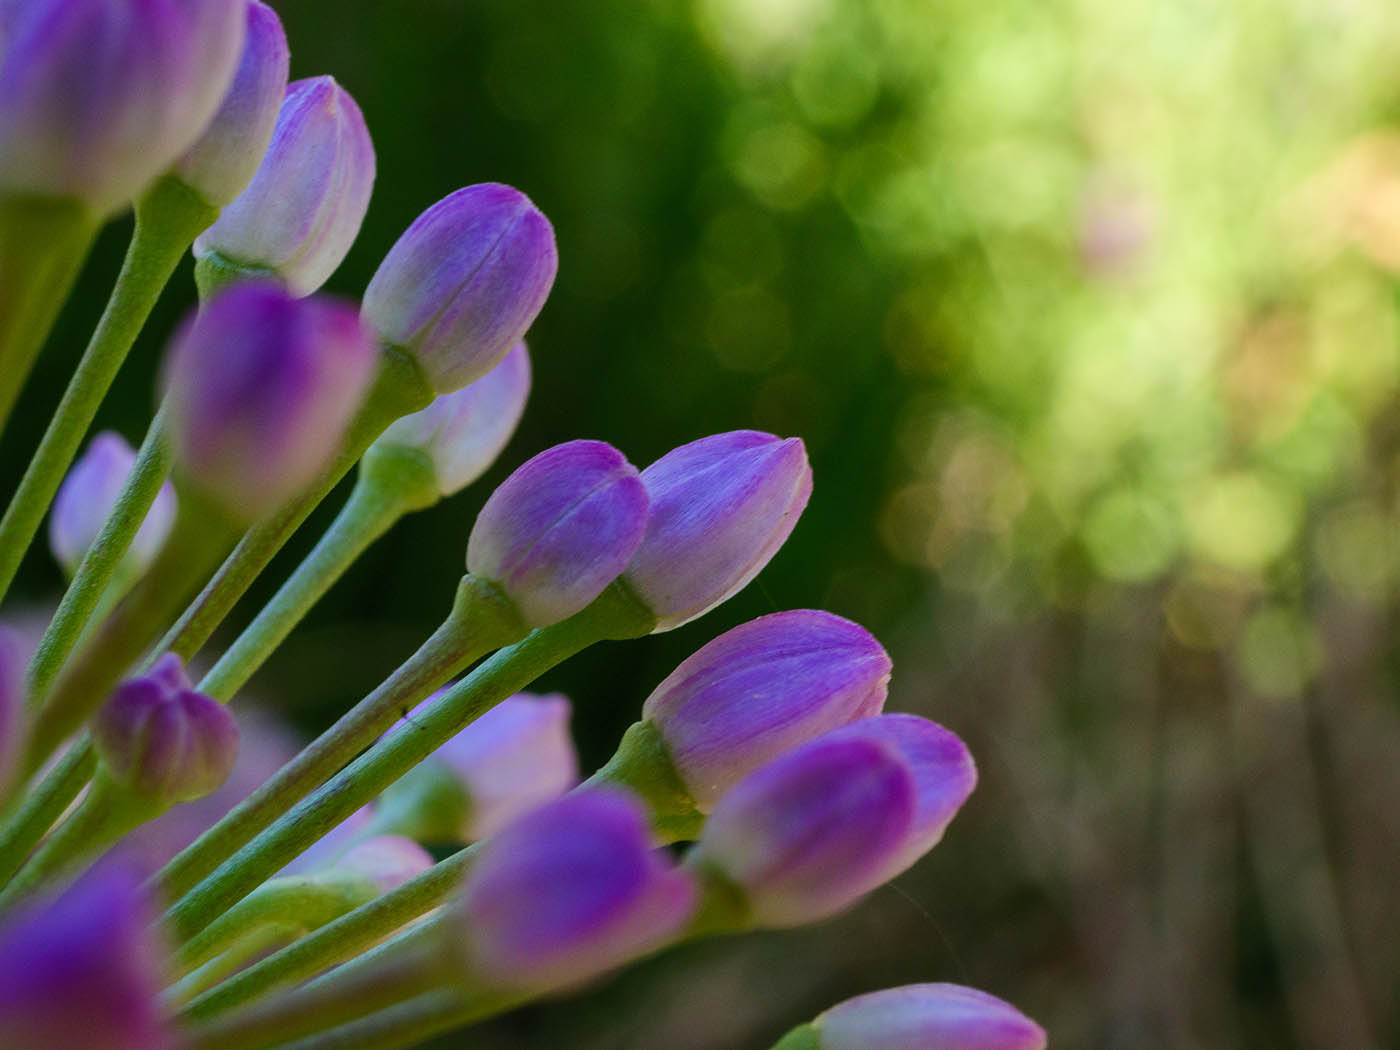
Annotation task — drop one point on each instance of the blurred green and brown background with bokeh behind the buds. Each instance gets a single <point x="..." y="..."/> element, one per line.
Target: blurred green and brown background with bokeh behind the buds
<point x="1088" y="314"/>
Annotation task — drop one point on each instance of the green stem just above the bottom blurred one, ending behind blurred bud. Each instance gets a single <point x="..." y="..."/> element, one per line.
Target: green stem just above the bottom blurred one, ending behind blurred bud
<point x="339" y="940"/>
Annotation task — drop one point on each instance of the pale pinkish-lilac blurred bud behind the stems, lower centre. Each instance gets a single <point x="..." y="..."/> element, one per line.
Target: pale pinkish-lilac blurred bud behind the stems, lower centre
<point x="514" y="758"/>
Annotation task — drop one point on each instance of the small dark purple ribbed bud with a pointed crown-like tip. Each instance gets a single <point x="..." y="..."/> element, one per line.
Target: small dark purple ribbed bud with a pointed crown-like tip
<point x="162" y="740"/>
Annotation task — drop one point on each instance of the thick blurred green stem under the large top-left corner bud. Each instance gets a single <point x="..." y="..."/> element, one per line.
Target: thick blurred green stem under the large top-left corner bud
<point x="43" y="247"/>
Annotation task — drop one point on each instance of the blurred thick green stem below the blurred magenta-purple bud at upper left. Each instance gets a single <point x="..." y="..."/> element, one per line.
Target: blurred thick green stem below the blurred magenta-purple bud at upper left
<point x="199" y="538"/>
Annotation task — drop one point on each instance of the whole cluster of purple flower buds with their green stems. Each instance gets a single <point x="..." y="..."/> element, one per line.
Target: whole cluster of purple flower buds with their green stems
<point x="762" y="786"/>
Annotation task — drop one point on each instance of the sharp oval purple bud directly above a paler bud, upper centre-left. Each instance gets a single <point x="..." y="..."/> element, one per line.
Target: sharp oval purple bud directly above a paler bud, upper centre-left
<point x="464" y="283"/>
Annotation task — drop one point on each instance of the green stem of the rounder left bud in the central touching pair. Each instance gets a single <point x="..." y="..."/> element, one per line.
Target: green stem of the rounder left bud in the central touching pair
<point x="478" y="624"/>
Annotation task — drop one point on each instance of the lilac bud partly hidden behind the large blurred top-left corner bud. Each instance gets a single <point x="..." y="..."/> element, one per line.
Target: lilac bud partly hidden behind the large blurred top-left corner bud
<point x="227" y="155"/>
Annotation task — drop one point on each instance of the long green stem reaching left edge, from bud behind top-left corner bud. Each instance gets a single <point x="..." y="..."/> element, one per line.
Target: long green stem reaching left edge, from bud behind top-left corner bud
<point x="169" y="219"/>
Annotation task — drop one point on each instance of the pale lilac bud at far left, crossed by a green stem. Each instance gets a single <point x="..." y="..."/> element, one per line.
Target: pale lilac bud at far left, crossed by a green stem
<point x="89" y="495"/>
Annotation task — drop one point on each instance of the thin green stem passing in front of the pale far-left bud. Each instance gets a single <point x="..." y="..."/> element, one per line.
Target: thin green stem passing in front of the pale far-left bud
<point x="100" y="563"/>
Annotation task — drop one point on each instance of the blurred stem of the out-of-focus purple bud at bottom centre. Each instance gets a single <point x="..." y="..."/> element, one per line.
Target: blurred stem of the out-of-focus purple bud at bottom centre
<point x="349" y="993"/>
